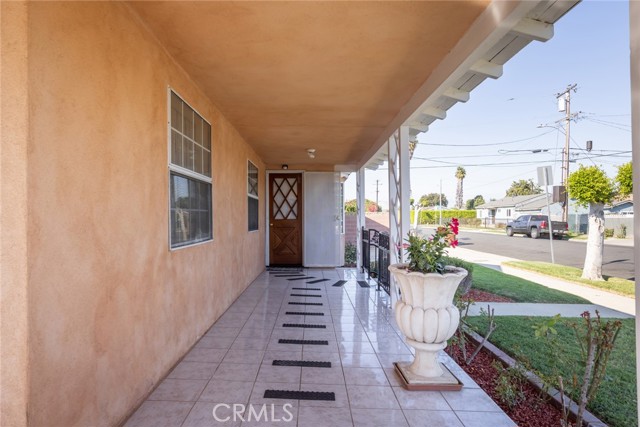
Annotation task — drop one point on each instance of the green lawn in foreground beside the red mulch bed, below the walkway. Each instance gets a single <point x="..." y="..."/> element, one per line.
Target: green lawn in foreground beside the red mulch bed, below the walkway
<point x="616" y="400"/>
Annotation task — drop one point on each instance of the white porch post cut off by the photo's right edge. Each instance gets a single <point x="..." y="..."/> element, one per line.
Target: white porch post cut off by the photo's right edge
<point x="634" y="35"/>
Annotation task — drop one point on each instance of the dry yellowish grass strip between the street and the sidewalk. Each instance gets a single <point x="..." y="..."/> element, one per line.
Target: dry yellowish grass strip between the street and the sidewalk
<point x="611" y="284"/>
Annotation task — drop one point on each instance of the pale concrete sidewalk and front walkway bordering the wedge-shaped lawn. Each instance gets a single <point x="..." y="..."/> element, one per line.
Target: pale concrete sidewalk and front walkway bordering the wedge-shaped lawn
<point x="606" y="302"/>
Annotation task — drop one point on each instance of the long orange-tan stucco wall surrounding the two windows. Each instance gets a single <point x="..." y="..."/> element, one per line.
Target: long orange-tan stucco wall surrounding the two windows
<point x="111" y="308"/>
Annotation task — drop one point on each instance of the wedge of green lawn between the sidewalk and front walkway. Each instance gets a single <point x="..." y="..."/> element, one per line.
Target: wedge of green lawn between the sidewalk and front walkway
<point x="519" y="290"/>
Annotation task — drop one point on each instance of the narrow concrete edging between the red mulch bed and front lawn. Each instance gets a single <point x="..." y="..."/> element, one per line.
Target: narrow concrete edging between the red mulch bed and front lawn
<point x="588" y="419"/>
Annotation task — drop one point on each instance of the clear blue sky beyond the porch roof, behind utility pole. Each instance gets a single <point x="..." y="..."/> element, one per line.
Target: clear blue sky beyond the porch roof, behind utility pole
<point x="591" y="49"/>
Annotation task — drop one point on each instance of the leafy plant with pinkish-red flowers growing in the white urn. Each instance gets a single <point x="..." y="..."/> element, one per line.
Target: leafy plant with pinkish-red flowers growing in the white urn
<point x="426" y="255"/>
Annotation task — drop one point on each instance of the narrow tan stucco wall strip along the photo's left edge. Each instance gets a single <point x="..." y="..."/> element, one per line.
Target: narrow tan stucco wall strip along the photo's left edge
<point x="13" y="211"/>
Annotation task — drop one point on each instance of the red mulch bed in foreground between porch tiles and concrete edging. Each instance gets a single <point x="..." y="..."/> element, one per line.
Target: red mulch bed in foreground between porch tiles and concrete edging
<point x="533" y="411"/>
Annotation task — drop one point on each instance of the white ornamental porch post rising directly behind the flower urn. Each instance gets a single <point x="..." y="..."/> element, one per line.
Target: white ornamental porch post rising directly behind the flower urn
<point x="398" y="192"/>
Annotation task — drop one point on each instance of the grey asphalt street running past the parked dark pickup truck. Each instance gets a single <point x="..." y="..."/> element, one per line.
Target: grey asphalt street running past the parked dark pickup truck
<point x="618" y="260"/>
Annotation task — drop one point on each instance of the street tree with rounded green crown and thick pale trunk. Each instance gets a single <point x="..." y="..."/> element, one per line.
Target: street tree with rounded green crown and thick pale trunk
<point x="591" y="187"/>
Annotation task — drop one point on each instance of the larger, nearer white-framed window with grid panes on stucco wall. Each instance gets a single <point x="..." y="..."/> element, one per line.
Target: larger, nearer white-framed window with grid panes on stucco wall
<point x="190" y="216"/>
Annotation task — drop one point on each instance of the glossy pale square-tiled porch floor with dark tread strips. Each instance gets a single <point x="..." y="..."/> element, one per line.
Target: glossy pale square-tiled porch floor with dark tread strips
<point x="233" y="365"/>
